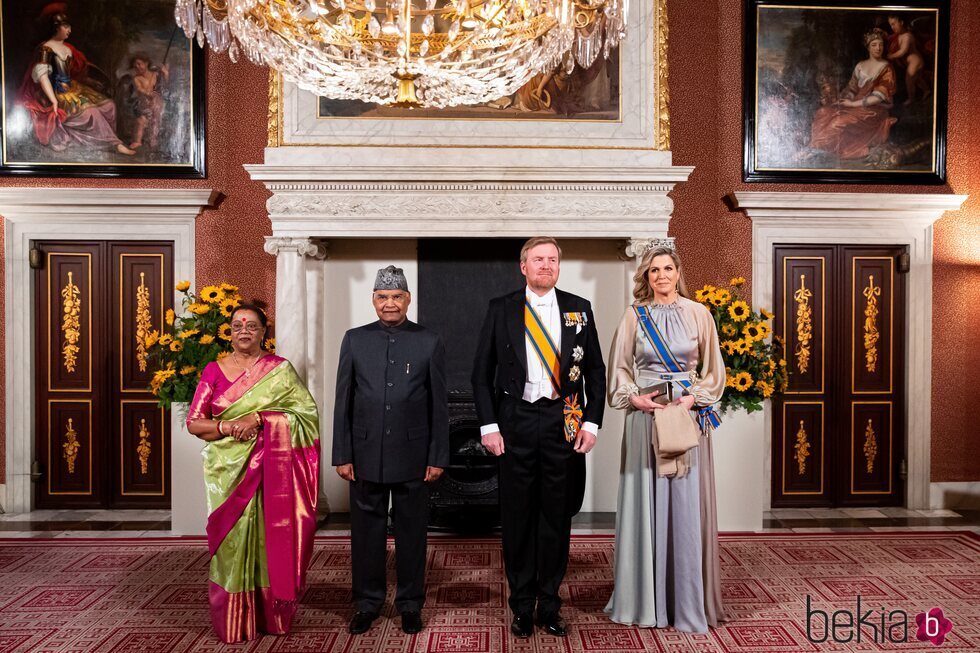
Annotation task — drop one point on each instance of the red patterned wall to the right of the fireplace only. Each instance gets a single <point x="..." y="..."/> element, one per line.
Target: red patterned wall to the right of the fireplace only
<point x="706" y="132"/>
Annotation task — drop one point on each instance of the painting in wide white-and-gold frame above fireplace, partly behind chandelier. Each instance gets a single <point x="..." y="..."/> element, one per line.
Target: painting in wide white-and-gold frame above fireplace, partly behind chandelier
<point x="619" y="102"/>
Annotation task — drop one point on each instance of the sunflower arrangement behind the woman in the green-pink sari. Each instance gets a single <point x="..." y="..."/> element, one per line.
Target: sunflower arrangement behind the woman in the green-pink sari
<point x="189" y="341"/>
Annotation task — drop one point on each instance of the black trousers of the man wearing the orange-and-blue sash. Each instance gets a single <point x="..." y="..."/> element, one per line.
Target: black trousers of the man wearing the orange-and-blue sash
<point x="534" y="500"/>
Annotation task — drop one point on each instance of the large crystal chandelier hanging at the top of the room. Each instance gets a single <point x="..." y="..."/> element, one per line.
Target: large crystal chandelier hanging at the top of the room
<point x="428" y="53"/>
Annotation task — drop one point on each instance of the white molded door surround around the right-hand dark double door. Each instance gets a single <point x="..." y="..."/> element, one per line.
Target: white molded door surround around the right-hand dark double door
<point x="863" y="219"/>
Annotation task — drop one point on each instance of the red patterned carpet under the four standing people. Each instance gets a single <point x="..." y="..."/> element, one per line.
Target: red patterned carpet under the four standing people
<point x="149" y="596"/>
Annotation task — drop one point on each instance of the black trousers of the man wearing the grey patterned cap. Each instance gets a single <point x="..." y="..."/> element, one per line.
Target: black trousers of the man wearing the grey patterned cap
<point x="369" y="518"/>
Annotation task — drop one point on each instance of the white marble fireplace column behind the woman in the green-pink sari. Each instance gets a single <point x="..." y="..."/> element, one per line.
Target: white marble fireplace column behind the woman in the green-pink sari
<point x="292" y="296"/>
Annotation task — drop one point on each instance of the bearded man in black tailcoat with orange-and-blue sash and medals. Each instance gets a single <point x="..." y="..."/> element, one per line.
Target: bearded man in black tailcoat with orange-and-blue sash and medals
<point x="539" y="384"/>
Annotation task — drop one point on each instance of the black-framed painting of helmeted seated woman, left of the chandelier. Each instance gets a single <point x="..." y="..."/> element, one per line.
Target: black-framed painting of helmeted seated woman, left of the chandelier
<point x="99" y="88"/>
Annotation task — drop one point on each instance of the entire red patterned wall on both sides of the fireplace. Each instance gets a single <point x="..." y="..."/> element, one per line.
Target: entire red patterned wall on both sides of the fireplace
<point x="705" y="74"/>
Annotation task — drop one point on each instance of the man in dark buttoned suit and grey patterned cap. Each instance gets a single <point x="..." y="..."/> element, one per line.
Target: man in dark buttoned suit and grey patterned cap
<point x="390" y="437"/>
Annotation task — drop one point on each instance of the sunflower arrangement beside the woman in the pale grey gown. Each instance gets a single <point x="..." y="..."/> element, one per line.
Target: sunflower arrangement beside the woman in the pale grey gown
<point x="754" y="365"/>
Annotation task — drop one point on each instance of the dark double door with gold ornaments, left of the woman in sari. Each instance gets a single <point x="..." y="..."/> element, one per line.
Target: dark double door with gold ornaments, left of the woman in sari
<point x="101" y="441"/>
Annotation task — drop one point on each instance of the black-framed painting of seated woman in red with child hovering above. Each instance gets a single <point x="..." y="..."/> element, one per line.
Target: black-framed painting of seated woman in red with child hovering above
<point x="846" y="92"/>
